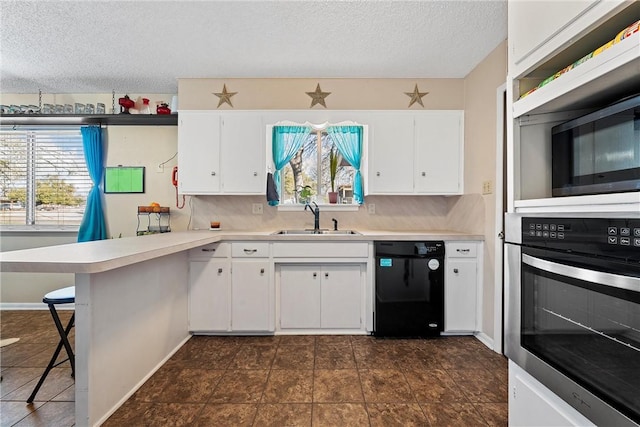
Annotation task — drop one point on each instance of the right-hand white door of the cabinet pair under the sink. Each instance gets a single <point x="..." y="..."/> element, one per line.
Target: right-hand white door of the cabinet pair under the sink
<point x="341" y="297"/>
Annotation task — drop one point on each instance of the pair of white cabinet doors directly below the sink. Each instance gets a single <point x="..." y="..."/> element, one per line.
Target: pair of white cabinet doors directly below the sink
<point x="316" y="296"/>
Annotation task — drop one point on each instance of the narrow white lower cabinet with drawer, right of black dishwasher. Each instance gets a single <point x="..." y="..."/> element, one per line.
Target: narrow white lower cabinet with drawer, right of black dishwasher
<point x="461" y="287"/>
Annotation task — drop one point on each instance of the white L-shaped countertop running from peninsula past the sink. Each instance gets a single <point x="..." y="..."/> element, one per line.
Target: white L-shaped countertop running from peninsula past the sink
<point x="104" y="255"/>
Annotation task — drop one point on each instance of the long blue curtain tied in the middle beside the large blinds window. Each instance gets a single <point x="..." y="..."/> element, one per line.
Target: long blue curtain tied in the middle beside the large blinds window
<point x="93" y="226"/>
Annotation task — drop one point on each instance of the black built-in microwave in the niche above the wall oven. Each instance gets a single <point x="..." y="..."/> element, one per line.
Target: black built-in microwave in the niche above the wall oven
<point x="598" y="153"/>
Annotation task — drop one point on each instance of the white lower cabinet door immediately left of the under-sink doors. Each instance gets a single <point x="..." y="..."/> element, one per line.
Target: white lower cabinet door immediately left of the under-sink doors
<point x="251" y="301"/>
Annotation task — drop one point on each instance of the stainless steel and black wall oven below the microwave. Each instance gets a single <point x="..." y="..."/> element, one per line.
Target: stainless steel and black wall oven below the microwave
<point x="573" y="309"/>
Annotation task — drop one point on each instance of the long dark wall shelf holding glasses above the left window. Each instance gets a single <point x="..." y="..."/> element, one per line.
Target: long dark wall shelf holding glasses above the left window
<point x="93" y="119"/>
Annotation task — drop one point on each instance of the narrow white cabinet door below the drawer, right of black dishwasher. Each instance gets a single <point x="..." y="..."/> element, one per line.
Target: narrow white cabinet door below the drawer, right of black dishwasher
<point x="460" y="294"/>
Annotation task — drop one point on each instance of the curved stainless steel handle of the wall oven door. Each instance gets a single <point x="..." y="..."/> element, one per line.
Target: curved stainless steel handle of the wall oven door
<point x="607" y="279"/>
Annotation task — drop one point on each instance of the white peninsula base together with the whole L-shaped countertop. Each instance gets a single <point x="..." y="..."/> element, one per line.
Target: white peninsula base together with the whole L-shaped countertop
<point x="132" y="302"/>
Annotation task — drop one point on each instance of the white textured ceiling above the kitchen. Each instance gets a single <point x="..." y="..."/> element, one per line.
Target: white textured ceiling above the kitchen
<point x="145" y="46"/>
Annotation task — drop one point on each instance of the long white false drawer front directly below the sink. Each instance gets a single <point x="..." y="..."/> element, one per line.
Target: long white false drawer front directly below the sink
<point x="320" y="249"/>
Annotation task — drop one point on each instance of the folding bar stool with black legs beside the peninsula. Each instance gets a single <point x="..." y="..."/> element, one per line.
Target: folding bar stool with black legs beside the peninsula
<point x="53" y="298"/>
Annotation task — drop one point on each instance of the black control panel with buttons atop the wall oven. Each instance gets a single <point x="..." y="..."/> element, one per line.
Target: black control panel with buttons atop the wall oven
<point x="618" y="237"/>
